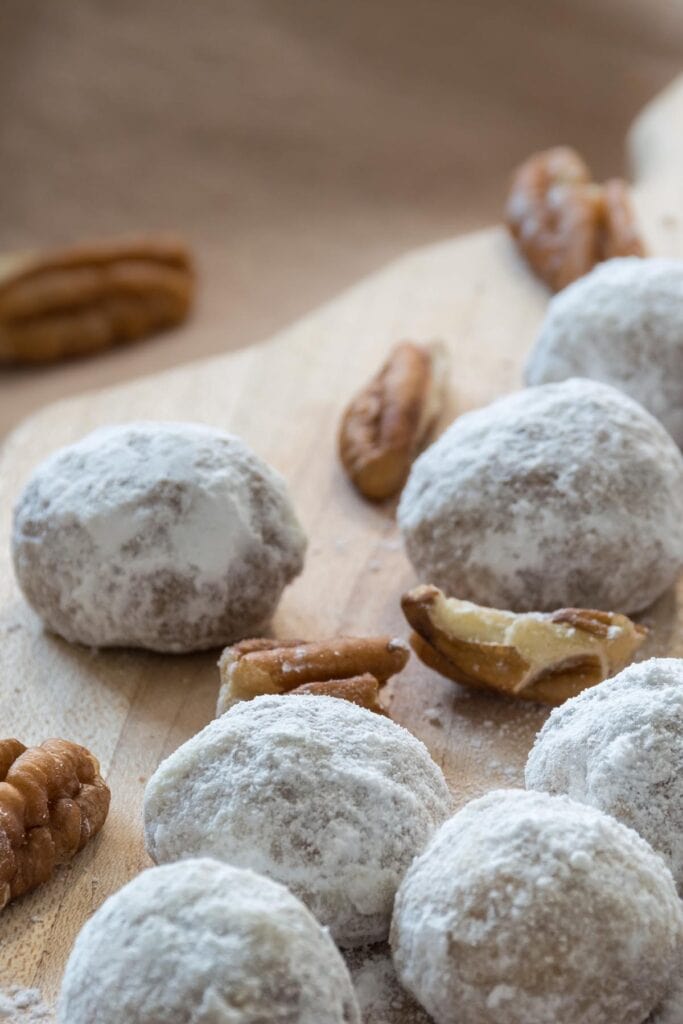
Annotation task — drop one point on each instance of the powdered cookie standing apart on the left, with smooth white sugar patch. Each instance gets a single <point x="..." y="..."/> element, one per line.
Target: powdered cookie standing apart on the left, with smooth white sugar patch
<point x="168" y="536"/>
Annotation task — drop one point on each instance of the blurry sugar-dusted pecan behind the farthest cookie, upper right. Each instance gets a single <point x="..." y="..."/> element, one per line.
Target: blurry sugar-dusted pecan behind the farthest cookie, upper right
<point x="564" y="223"/>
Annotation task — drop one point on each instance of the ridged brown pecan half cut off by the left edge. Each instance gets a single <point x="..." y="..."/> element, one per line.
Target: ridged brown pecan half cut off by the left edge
<point x="53" y="801"/>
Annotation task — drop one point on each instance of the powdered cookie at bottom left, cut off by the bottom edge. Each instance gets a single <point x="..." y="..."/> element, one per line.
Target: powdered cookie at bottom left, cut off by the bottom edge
<point x="200" y="943"/>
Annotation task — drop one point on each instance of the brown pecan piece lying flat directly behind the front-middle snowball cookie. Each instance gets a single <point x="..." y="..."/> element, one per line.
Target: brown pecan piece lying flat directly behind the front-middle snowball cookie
<point x="253" y="668"/>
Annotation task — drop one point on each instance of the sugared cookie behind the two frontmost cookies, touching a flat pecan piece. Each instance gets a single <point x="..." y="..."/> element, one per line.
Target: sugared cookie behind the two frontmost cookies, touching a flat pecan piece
<point x="326" y="797"/>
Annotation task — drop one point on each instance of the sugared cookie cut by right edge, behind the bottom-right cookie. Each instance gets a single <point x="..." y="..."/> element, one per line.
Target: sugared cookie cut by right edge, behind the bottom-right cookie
<point x="620" y="747"/>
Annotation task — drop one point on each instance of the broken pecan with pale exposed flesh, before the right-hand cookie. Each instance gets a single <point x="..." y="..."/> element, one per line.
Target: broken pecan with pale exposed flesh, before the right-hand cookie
<point x="534" y="657"/>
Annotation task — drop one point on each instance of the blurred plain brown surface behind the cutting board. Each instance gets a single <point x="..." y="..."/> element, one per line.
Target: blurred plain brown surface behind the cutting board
<point x="296" y="145"/>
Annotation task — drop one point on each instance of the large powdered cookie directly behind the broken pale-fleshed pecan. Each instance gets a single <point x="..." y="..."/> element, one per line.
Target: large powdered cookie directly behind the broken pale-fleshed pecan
<point x="564" y="495"/>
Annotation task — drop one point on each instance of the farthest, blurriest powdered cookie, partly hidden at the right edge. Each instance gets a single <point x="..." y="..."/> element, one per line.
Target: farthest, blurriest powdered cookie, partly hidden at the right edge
<point x="623" y="325"/>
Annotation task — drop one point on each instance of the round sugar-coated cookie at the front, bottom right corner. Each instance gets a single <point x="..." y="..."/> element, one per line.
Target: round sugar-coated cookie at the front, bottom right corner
<point x="528" y="909"/>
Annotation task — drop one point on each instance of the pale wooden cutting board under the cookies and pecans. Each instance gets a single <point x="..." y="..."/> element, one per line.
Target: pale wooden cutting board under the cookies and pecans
<point x="285" y="398"/>
